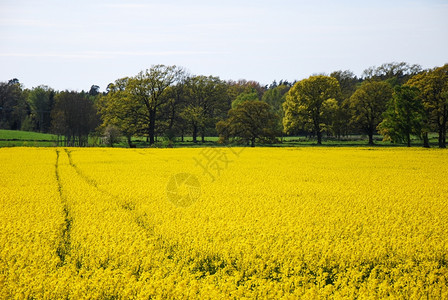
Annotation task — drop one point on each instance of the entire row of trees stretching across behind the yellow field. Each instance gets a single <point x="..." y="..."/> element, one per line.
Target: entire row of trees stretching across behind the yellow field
<point x="397" y="100"/>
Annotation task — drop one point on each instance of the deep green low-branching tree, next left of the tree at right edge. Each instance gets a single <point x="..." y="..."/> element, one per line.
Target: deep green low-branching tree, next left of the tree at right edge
<point x="404" y="115"/>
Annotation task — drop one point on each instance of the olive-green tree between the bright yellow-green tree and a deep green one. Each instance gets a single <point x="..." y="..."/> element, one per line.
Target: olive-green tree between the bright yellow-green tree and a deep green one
<point x="368" y="104"/>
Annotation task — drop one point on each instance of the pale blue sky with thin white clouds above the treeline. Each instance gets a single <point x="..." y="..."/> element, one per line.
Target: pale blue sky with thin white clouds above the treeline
<point x="74" y="44"/>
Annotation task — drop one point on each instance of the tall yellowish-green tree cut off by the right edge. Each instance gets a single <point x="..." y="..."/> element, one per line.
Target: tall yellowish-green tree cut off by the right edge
<point x="433" y="86"/>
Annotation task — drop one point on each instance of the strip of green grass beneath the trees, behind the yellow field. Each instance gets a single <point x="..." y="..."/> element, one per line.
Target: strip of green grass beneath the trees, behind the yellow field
<point x="16" y="138"/>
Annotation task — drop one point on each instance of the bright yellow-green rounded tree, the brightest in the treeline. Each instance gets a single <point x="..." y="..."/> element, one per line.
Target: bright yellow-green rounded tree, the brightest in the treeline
<point x="307" y="104"/>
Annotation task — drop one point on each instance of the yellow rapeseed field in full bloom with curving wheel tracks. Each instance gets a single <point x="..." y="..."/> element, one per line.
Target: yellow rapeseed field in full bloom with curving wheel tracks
<point x="216" y="223"/>
